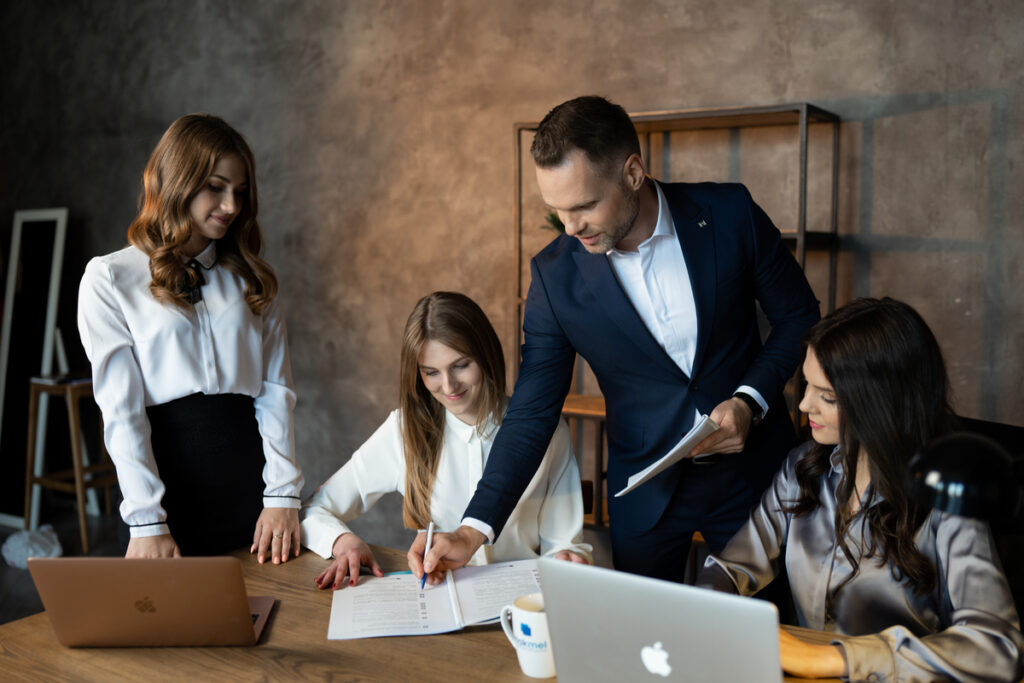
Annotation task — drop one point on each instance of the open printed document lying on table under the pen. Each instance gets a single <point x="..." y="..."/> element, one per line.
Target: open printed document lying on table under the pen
<point x="395" y="605"/>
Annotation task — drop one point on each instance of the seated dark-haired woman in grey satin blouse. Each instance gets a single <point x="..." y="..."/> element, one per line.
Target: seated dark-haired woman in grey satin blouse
<point x="916" y="594"/>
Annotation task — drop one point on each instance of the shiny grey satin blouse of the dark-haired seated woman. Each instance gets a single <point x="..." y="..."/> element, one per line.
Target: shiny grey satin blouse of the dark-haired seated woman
<point x="967" y="629"/>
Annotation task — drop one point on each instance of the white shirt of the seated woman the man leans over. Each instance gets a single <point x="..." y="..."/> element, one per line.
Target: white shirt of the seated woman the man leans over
<point x="548" y="519"/>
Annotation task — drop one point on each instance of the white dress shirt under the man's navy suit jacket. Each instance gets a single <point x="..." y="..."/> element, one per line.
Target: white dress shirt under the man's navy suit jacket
<point x="658" y="284"/>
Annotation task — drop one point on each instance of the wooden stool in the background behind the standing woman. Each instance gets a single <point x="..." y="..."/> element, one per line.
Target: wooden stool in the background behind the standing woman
<point x="73" y="481"/>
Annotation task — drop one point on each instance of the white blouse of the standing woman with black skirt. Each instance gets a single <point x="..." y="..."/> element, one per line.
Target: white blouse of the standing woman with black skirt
<point x="145" y="353"/>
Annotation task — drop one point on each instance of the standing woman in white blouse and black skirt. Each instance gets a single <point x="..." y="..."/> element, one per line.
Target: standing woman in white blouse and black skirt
<point x="190" y="359"/>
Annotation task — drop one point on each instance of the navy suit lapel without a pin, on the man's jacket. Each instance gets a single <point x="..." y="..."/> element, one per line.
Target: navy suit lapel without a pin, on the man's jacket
<point x="602" y="282"/>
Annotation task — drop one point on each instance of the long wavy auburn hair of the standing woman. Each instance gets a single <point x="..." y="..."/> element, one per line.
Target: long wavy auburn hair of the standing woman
<point x="179" y="168"/>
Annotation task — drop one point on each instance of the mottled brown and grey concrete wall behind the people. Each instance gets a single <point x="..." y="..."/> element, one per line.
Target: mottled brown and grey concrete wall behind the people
<point x="383" y="137"/>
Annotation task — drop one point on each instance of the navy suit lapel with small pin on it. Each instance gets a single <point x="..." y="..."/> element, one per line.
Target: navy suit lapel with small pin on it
<point x="695" y="229"/>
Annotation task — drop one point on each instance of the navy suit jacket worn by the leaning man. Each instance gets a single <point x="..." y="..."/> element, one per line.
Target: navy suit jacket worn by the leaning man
<point x="735" y="255"/>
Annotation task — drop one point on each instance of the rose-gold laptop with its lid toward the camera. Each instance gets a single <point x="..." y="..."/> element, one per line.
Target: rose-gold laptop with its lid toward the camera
<point x="117" y="603"/>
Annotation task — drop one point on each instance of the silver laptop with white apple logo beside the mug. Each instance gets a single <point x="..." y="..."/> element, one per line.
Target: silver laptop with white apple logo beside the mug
<point x="612" y="626"/>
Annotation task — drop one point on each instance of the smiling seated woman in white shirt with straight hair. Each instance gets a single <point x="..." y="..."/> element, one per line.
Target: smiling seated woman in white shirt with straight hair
<point x="435" y="448"/>
